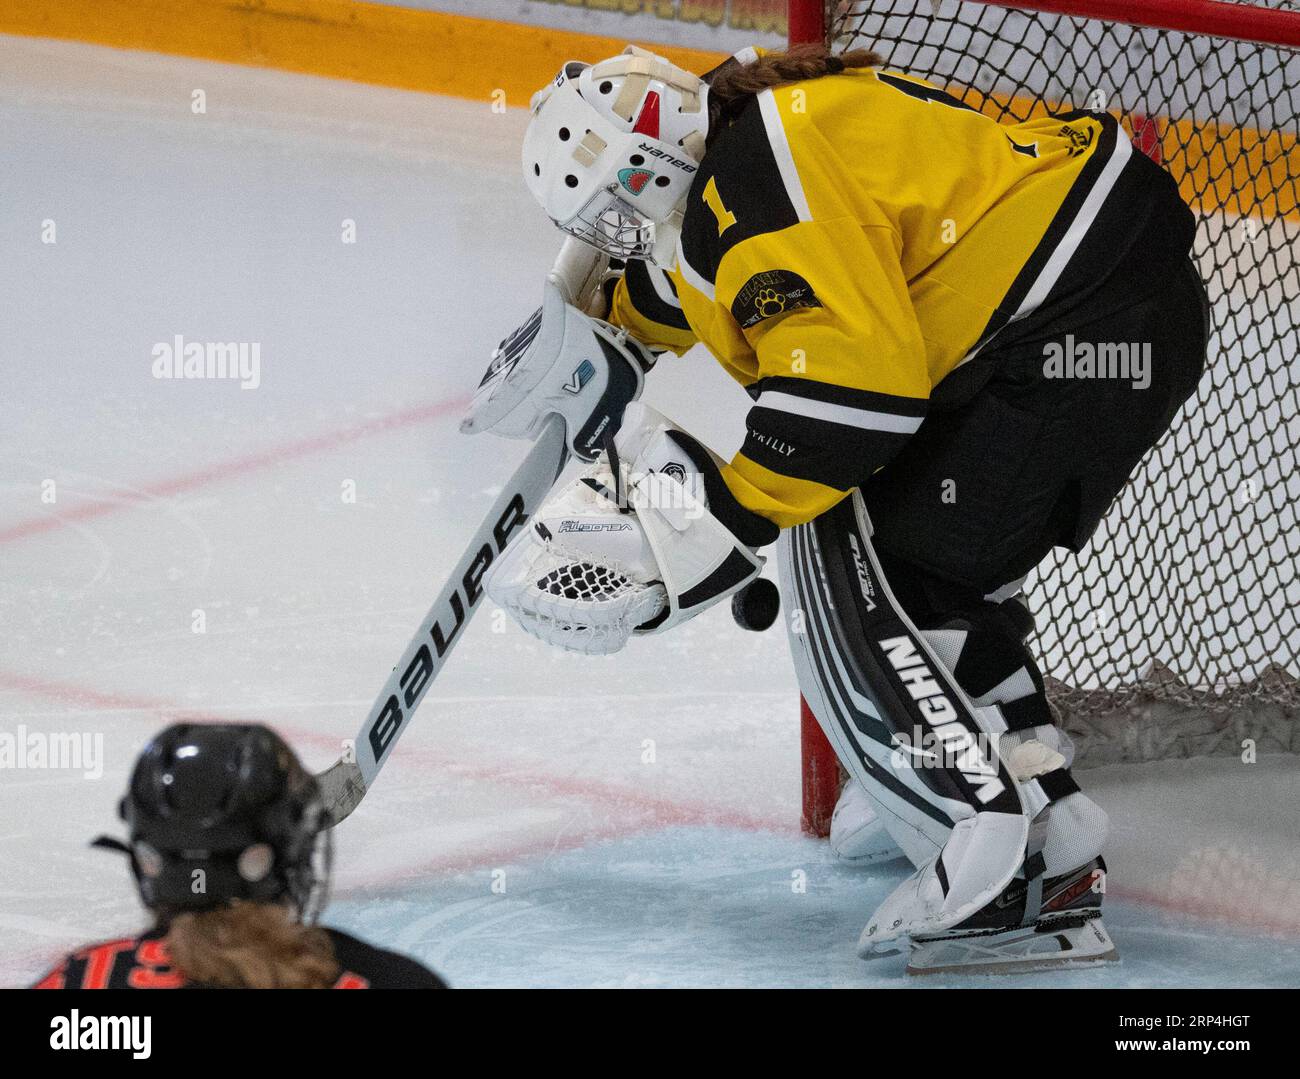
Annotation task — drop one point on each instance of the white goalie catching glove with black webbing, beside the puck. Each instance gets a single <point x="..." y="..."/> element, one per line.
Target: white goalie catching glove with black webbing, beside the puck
<point x="644" y="540"/>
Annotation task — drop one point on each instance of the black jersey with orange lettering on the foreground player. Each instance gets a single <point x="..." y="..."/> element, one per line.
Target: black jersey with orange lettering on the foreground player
<point x="144" y="964"/>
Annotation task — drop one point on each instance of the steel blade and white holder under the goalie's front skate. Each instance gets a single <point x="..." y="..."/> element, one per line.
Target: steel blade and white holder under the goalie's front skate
<point x="1015" y="951"/>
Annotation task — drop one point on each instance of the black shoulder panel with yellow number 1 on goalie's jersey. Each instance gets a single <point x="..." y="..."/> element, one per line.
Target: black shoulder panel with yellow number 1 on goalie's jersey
<point x="749" y="187"/>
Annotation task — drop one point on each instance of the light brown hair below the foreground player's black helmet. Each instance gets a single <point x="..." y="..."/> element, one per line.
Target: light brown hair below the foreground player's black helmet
<point x="252" y="946"/>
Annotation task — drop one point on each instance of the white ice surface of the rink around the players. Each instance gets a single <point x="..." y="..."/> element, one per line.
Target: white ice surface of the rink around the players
<point x="549" y="820"/>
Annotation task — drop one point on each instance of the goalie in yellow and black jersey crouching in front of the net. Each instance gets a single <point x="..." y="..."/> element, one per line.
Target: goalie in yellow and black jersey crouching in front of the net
<point x="960" y="339"/>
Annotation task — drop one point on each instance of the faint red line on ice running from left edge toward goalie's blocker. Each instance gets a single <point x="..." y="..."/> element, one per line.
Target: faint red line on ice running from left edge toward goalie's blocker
<point x="235" y="469"/>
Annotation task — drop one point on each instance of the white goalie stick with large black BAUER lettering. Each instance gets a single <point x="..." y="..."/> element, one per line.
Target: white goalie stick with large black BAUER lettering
<point x="345" y="783"/>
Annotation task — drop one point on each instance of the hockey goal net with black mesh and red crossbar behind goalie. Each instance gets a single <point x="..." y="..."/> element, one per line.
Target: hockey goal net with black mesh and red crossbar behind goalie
<point x="1175" y="632"/>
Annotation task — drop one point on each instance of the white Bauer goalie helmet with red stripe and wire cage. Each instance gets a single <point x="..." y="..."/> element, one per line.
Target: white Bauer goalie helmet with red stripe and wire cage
<point x="612" y="150"/>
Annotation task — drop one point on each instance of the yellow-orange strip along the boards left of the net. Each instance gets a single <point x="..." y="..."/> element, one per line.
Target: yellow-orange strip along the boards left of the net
<point x="376" y="44"/>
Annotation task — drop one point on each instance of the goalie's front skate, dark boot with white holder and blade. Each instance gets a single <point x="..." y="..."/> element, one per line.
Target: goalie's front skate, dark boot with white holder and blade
<point x="1067" y="934"/>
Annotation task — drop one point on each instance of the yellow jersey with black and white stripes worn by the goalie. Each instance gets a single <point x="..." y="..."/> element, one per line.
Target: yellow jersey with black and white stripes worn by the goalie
<point x="852" y="241"/>
